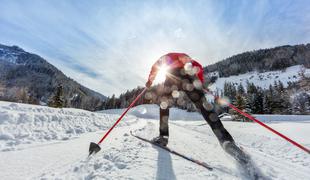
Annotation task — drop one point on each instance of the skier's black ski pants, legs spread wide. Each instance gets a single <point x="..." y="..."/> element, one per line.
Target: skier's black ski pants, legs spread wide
<point x="175" y="87"/>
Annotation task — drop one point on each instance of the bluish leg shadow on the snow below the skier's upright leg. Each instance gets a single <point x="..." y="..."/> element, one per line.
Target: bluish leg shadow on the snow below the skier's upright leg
<point x="164" y="166"/>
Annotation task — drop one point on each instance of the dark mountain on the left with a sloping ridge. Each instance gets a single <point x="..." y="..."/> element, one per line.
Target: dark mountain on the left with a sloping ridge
<point x="28" y="78"/>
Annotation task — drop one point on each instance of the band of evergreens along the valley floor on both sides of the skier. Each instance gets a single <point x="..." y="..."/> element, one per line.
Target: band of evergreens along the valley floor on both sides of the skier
<point x="250" y="98"/>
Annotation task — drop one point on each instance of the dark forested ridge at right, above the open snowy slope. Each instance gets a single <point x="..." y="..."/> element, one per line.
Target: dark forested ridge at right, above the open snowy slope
<point x="264" y="60"/>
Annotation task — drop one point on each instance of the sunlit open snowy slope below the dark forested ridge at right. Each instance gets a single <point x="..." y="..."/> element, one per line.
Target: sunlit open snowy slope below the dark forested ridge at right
<point x="263" y="80"/>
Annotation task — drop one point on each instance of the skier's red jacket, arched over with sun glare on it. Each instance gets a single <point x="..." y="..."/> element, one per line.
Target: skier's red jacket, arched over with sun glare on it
<point x="174" y="61"/>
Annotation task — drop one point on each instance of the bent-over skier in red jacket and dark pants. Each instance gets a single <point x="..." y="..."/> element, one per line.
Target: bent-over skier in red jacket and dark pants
<point x="185" y="76"/>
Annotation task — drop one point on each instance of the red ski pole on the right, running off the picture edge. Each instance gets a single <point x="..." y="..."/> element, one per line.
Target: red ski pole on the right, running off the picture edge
<point x="261" y="123"/>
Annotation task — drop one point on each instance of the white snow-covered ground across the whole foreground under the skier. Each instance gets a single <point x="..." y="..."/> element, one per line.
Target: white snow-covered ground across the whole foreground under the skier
<point x="46" y="143"/>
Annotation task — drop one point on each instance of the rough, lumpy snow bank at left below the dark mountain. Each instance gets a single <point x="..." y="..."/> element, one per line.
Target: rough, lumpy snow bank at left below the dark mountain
<point x="27" y="124"/>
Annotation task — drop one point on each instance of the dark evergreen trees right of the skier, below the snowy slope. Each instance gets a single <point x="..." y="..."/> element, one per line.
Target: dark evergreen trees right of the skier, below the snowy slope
<point x="274" y="100"/>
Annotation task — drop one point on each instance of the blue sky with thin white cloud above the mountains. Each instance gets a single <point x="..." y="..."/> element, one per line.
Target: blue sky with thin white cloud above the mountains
<point x="109" y="46"/>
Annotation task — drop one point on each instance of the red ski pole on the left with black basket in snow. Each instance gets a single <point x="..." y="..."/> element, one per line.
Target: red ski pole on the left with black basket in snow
<point x="95" y="147"/>
